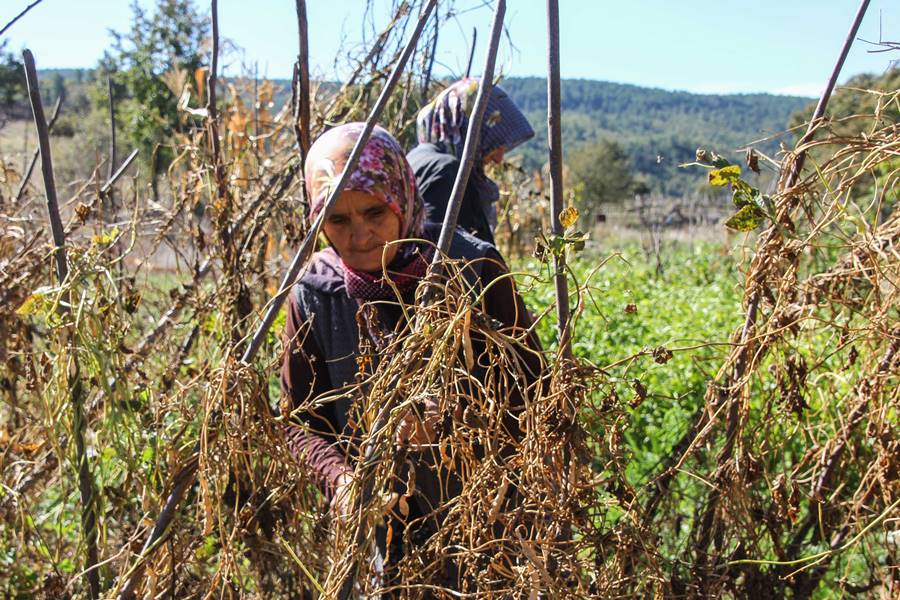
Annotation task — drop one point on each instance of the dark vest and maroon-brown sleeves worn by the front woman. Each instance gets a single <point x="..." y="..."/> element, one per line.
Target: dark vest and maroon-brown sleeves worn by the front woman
<point x="322" y="334"/>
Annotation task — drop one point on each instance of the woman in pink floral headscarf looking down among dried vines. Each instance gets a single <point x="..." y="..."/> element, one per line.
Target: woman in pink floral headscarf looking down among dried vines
<point x="379" y="205"/>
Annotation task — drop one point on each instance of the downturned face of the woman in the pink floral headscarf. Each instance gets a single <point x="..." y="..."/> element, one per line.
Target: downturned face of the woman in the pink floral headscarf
<point x="359" y="226"/>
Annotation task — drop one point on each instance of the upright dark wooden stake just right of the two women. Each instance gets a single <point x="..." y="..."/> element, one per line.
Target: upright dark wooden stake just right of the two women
<point x="554" y="136"/>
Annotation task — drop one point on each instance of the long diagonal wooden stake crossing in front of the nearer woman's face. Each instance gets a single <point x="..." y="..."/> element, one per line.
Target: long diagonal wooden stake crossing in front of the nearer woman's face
<point x="186" y="476"/>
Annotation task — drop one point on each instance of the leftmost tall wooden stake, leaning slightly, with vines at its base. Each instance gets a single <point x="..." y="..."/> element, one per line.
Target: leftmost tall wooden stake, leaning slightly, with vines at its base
<point x="85" y="480"/>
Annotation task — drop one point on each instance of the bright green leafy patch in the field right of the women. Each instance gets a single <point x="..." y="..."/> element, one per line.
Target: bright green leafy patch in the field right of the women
<point x="667" y="333"/>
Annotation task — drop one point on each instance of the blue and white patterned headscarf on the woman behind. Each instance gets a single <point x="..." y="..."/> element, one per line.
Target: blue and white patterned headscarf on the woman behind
<point x="446" y="118"/>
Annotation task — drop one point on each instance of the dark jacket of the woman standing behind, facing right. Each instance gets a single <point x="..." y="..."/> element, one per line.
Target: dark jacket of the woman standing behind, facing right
<point x="435" y="174"/>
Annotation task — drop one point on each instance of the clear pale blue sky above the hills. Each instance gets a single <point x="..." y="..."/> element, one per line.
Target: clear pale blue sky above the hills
<point x="777" y="46"/>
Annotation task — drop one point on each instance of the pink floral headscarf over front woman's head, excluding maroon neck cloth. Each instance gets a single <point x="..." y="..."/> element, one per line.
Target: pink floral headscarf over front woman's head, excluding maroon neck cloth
<point x="382" y="171"/>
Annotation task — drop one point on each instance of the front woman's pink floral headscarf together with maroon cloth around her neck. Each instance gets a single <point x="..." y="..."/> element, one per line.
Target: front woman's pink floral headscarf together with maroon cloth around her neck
<point x="383" y="172"/>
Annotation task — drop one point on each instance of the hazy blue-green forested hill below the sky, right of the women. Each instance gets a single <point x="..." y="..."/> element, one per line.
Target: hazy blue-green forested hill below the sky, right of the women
<point x="659" y="129"/>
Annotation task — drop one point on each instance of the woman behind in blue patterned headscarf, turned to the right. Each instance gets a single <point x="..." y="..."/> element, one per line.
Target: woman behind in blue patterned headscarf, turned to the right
<point x="441" y="131"/>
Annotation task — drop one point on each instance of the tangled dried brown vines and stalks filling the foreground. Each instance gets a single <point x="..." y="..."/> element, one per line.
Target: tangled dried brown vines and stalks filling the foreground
<point x="788" y="476"/>
